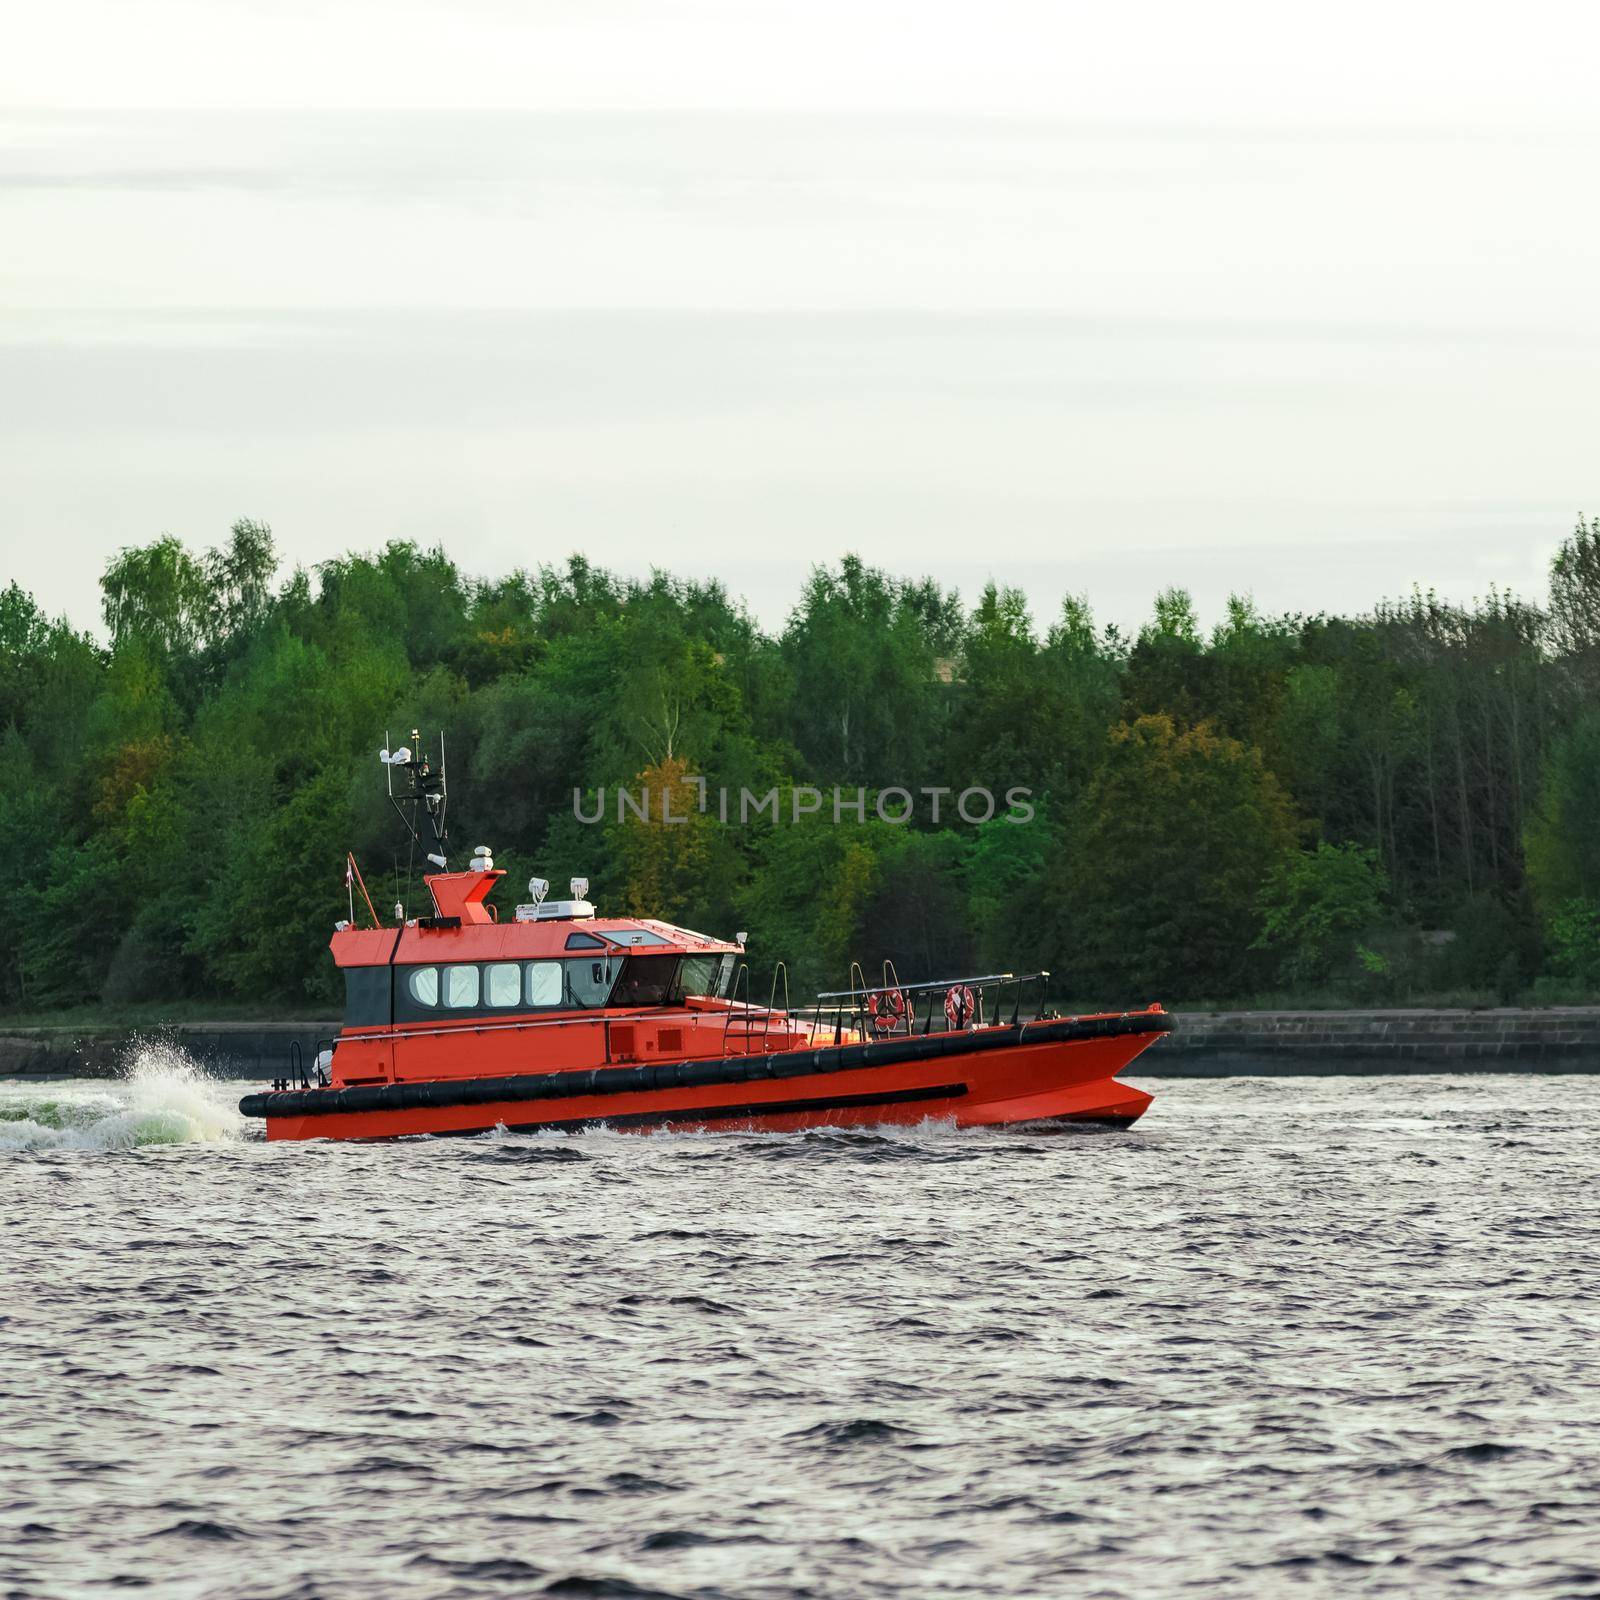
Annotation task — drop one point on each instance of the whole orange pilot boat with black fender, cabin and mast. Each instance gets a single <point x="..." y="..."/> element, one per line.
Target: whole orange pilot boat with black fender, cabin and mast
<point x="562" y="1020"/>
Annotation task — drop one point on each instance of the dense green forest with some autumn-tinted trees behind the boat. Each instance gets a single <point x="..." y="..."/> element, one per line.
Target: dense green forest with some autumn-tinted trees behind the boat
<point x="1388" y="809"/>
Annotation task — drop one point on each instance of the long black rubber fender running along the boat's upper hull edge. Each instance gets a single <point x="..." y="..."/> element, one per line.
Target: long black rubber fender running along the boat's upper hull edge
<point x="439" y="1094"/>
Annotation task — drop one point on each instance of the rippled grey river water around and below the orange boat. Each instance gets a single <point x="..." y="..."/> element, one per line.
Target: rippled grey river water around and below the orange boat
<point x="1319" y="1335"/>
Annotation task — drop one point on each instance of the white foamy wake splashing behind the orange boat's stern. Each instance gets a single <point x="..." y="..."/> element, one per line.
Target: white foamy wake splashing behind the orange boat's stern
<point x="164" y="1097"/>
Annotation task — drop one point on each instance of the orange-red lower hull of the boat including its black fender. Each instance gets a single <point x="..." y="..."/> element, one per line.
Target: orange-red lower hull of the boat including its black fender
<point x="1057" y="1071"/>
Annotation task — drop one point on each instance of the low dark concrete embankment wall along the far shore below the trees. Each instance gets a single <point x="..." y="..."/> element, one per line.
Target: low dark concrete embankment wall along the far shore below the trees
<point x="1206" y="1046"/>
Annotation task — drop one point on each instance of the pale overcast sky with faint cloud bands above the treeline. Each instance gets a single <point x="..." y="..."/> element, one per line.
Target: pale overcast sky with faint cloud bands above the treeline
<point x="1078" y="297"/>
